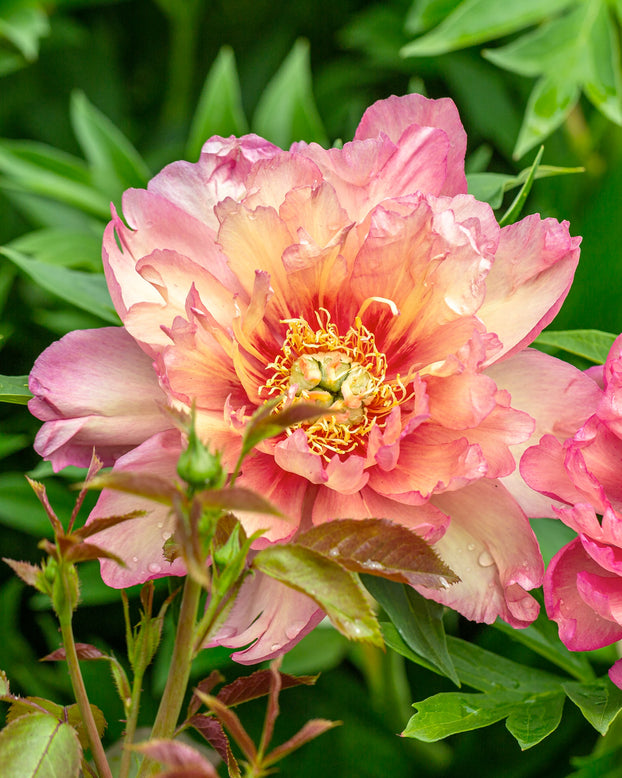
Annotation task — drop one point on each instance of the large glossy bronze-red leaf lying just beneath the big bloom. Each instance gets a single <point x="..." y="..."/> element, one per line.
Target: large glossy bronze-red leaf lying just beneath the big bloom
<point x="380" y="547"/>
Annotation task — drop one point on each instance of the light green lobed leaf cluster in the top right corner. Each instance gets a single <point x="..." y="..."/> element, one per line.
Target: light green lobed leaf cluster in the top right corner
<point x="574" y="48"/>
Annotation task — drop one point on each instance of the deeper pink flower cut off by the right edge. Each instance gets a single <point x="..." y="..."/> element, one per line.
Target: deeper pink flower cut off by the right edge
<point x="583" y="583"/>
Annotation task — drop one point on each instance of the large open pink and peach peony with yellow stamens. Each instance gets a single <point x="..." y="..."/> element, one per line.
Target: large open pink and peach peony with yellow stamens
<point x="364" y="279"/>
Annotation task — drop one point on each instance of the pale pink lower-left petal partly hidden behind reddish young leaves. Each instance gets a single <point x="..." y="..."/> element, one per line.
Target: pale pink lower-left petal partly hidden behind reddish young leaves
<point x="139" y="542"/>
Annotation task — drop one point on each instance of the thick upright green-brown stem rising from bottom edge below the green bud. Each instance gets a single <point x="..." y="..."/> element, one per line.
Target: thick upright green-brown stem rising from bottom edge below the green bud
<point x="177" y="681"/>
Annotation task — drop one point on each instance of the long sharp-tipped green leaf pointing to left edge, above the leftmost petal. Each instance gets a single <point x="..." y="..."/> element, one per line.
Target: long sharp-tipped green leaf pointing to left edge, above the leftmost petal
<point x="87" y="291"/>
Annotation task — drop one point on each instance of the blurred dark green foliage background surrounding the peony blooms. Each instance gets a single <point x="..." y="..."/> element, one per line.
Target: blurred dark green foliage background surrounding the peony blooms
<point x="97" y="95"/>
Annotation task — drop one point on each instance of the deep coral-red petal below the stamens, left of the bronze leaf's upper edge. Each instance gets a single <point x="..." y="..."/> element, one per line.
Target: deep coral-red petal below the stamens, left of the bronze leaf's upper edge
<point x="284" y="490"/>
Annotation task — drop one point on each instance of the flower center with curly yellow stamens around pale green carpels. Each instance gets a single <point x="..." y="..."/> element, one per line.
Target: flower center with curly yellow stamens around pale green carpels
<point x="345" y="374"/>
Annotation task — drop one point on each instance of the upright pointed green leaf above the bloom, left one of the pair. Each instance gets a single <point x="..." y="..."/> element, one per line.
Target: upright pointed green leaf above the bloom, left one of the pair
<point x="219" y="111"/>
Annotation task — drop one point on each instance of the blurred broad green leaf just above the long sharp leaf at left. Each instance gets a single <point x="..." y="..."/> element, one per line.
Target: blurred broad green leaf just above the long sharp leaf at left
<point x="70" y="248"/>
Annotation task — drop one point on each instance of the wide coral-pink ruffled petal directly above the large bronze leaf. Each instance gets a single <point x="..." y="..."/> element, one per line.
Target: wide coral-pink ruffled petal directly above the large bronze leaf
<point x="425" y="519"/>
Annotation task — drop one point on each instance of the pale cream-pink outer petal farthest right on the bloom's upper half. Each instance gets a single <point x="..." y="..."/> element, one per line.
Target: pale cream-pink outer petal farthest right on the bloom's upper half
<point x="531" y="276"/>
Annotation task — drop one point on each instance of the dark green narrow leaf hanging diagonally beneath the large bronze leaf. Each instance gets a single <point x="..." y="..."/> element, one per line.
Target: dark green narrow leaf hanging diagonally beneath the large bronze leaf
<point x="419" y="622"/>
